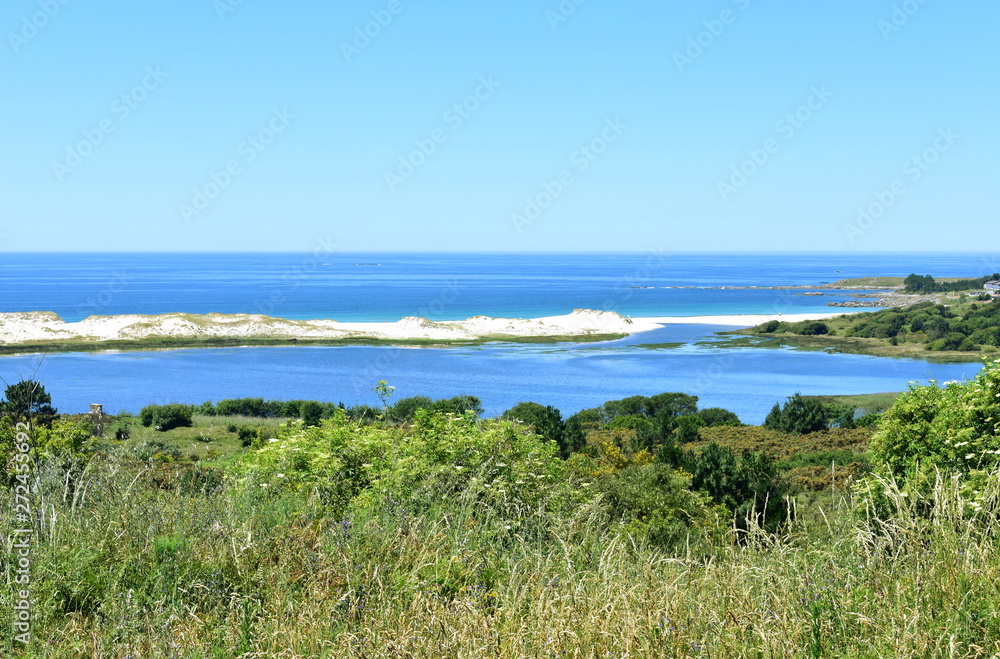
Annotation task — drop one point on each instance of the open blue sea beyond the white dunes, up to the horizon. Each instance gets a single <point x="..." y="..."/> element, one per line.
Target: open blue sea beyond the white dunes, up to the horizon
<point x="386" y="287"/>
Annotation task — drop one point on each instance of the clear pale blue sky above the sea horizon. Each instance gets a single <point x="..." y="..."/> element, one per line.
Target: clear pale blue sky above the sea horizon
<point x="501" y="126"/>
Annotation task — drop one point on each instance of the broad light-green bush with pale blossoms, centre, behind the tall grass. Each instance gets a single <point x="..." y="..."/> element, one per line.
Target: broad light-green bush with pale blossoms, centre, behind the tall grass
<point x="347" y="464"/>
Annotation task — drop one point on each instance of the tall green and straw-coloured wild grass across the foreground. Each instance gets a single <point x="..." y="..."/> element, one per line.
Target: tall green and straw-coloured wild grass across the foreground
<point x="130" y="565"/>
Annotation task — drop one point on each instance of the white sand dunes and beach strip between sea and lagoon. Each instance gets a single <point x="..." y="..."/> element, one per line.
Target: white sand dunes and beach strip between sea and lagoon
<point x="41" y="327"/>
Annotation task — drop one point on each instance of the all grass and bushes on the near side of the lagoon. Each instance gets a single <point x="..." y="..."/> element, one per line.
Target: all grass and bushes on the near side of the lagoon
<point x="641" y="527"/>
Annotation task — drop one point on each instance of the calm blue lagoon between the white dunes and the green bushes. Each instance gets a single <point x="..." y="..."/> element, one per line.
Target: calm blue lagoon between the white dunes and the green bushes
<point x="568" y="376"/>
